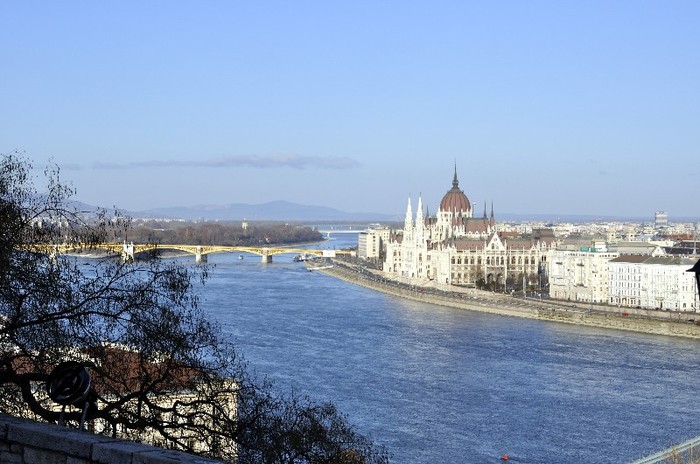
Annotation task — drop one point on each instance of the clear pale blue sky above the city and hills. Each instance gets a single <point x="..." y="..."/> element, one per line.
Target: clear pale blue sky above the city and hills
<point x="545" y="107"/>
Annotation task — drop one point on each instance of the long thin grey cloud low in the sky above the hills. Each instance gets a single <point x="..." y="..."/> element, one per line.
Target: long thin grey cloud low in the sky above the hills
<point x="252" y="161"/>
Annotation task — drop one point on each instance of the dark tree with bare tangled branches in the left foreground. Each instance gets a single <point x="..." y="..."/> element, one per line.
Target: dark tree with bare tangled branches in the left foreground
<point x="161" y="371"/>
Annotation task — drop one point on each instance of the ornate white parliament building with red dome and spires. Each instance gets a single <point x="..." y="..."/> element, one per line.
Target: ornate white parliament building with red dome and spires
<point x="454" y="247"/>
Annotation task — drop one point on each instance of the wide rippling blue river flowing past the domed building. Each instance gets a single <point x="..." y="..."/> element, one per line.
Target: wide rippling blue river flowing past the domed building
<point x="441" y="385"/>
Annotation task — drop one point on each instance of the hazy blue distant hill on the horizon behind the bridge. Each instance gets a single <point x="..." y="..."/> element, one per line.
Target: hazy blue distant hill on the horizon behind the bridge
<point x="271" y="211"/>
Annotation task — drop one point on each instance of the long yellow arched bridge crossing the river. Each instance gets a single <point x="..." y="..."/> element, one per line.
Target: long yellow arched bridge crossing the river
<point x="129" y="250"/>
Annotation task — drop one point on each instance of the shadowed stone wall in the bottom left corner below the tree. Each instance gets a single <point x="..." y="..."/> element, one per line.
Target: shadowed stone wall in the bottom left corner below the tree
<point x="23" y="441"/>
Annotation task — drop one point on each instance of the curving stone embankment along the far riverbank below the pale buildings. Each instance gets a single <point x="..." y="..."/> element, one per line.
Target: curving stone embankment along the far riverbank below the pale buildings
<point x="651" y="322"/>
